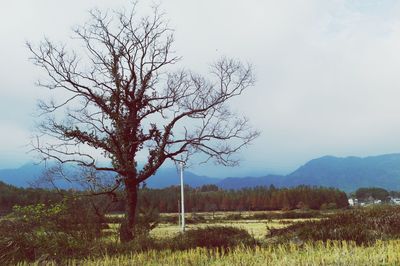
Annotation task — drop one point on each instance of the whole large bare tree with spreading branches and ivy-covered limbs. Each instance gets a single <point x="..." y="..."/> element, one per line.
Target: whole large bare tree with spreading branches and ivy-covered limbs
<point x="125" y="97"/>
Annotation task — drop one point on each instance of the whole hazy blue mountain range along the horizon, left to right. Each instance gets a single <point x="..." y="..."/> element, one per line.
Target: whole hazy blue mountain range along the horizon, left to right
<point x="348" y="174"/>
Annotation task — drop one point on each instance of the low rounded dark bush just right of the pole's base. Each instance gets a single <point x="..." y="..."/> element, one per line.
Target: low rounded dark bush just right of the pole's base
<point x="213" y="237"/>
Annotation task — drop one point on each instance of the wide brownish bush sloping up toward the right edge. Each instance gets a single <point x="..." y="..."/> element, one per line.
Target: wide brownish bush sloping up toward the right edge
<point x="362" y="226"/>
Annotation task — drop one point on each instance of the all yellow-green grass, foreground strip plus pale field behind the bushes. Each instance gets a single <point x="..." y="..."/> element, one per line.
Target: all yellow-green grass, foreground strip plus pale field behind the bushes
<point x="267" y="252"/>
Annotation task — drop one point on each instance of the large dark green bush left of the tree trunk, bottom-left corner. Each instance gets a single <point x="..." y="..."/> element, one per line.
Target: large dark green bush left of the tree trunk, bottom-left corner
<point x="38" y="231"/>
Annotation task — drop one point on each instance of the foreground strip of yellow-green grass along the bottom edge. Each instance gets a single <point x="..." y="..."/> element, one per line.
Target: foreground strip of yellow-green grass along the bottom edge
<point x="330" y="253"/>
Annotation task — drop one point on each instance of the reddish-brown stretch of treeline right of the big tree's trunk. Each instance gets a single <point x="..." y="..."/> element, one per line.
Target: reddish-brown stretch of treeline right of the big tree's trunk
<point x="211" y="198"/>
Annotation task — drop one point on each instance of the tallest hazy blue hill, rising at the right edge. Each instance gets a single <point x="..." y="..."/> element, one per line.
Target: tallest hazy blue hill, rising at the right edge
<point x="349" y="173"/>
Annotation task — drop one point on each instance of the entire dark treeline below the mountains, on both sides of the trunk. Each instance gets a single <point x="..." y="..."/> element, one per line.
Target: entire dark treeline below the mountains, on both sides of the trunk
<point x="205" y="198"/>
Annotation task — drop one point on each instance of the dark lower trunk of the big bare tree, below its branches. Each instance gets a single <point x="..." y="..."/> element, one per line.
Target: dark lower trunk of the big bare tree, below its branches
<point x="127" y="229"/>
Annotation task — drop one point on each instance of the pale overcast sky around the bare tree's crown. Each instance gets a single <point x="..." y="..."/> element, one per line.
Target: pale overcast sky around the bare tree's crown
<point x="328" y="72"/>
